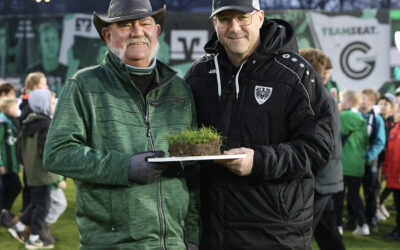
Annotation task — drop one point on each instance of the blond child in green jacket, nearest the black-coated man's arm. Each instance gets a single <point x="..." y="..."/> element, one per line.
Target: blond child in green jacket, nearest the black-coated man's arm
<point x="355" y="142"/>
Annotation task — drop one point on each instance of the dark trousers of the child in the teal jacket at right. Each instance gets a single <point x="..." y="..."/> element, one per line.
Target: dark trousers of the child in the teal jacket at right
<point x="370" y="184"/>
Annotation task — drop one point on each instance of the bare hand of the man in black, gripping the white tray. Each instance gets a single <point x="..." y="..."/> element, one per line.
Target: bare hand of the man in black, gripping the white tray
<point x="240" y="167"/>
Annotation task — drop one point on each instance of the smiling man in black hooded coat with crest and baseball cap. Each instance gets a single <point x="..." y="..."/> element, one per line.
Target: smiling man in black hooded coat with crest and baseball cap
<point x="268" y="103"/>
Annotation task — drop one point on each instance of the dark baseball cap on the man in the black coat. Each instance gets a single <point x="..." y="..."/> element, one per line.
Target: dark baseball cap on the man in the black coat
<point x="245" y="6"/>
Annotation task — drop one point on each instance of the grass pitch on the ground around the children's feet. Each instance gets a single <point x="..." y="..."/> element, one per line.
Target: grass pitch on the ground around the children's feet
<point x="67" y="230"/>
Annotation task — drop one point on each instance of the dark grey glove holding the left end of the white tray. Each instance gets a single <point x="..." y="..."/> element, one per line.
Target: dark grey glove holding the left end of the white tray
<point x="141" y="171"/>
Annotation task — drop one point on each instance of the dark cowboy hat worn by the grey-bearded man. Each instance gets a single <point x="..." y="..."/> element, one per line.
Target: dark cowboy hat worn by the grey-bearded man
<point x="122" y="10"/>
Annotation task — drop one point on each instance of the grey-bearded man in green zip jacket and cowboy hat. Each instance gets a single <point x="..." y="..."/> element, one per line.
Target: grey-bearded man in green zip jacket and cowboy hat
<point x="109" y="120"/>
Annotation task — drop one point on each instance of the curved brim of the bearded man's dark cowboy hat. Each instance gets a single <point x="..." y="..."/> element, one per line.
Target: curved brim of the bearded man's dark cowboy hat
<point x="100" y="21"/>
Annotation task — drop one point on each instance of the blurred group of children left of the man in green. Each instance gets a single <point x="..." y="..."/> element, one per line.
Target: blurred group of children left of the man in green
<point x="24" y="123"/>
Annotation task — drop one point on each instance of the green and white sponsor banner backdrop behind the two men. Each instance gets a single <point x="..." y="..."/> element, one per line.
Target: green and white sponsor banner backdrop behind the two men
<point x="358" y="44"/>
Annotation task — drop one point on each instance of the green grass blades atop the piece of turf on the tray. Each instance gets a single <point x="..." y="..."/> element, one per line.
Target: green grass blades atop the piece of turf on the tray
<point x="203" y="135"/>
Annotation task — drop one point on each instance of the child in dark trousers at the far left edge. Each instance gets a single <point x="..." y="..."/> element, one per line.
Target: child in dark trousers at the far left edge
<point x="9" y="165"/>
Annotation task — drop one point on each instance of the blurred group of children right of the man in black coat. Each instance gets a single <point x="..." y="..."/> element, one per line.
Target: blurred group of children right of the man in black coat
<point x="370" y="142"/>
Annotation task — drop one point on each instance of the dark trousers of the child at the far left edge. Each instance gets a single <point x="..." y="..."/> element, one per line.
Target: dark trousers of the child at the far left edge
<point x="11" y="188"/>
